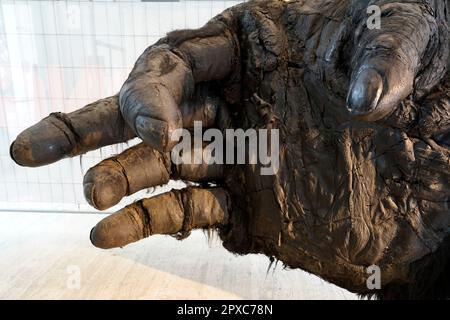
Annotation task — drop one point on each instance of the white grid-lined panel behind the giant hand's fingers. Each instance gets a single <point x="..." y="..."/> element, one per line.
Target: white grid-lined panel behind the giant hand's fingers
<point x="60" y="56"/>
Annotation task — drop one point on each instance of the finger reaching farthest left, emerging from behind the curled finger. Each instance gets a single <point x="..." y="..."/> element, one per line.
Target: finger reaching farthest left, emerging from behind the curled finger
<point x="66" y="135"/>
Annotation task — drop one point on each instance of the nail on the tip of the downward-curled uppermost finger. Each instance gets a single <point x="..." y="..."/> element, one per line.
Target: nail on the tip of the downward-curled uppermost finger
<point x="152" y="131"/>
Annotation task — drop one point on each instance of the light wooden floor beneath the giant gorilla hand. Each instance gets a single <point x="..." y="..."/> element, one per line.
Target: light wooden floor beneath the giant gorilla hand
<point x="42" y="254"/>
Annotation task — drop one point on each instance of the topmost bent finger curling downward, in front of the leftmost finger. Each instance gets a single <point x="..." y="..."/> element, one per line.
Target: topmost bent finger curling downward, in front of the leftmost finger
<point x="166" y="74"/>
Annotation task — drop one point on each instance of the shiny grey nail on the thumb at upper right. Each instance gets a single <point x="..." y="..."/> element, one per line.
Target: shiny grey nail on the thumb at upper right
<point x="365" y="92"/>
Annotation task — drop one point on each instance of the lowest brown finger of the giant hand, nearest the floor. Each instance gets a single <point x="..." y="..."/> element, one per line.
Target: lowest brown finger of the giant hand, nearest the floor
<point x="174" y="212"/>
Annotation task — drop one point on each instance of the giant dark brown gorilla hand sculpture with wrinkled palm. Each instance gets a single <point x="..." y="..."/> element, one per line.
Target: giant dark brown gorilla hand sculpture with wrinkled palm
<point x="364" y="120"/>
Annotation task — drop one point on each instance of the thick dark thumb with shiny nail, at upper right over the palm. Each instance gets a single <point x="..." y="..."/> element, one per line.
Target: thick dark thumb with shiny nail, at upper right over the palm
<point x="387" y="60"/>
